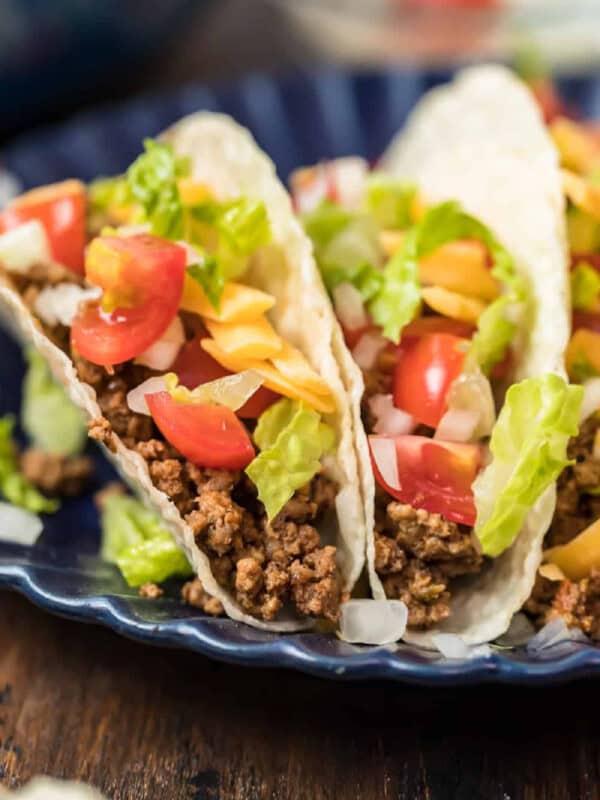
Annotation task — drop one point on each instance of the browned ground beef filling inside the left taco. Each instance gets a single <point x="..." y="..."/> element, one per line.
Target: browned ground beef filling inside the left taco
<point x="266" y="565"/>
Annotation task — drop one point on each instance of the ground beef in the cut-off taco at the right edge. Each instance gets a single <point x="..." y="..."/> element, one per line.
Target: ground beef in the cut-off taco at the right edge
<point x="577" y="602"/>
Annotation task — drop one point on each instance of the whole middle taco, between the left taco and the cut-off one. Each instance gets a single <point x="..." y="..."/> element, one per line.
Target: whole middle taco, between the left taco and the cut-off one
<point x="445" y="268"/>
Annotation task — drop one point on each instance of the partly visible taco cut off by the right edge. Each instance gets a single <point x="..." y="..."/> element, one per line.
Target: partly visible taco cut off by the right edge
<point x="568" y="582"/>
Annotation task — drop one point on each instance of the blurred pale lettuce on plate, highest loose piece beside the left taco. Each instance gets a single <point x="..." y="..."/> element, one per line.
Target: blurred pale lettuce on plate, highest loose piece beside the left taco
<point x="49" y="419"/>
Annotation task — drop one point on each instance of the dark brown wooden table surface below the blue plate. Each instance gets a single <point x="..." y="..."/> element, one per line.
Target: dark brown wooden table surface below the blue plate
<point x="140" y="723"/>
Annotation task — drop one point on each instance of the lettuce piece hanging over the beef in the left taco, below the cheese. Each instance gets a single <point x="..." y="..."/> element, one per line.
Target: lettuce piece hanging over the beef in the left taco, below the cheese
<point x="292" y="439"/>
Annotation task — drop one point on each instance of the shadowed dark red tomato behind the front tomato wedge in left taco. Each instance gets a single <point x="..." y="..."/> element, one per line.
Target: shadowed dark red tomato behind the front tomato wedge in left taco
<point x="194" y="366"/>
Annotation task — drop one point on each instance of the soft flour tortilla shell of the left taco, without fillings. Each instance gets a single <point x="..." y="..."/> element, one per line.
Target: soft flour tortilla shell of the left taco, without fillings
<point x="226" y="157"/>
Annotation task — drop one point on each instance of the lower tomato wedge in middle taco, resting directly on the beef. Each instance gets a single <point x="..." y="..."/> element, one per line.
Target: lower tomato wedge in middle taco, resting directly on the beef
<point x="436" y="476"/>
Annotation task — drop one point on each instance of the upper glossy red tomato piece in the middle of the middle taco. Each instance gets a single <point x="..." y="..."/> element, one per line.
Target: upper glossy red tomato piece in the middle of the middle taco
<point x="425" y="369"/>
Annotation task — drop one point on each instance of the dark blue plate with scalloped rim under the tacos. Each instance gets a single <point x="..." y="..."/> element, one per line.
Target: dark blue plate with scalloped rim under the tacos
<point x="298" y="120"/>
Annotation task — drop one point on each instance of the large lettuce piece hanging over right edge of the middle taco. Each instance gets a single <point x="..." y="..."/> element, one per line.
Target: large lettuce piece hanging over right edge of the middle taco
<point x="529" y="449"/>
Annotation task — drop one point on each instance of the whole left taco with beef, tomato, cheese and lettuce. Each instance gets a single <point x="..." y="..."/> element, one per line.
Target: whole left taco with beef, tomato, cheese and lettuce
<point x="180" y="307"/>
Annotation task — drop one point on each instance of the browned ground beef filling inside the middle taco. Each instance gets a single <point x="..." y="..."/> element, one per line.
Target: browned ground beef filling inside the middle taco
<point x="416" y="553"/>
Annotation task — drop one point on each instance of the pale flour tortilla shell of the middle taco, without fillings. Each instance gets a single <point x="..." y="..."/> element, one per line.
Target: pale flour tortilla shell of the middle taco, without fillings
<point x="481" y="141"/>
